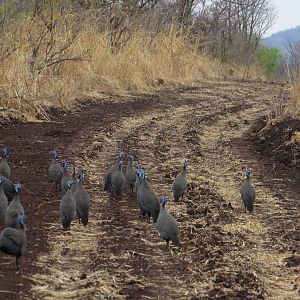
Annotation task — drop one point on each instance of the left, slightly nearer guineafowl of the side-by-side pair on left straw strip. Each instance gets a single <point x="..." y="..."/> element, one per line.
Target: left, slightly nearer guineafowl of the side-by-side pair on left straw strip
<point x="67" y="207"/>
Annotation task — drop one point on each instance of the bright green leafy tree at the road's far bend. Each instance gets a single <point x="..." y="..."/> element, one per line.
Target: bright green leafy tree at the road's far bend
<point x="269" y="59"/>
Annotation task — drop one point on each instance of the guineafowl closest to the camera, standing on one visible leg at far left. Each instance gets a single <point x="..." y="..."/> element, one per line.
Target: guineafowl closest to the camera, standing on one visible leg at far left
<point x="13" y="241"/>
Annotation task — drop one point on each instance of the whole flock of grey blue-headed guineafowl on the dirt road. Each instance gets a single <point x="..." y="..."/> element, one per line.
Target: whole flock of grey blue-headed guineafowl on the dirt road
<point x="76" y="200"/>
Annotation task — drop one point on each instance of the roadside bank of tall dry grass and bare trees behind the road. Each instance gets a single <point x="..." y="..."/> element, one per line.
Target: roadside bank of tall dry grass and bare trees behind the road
<point x="53" y="52"/>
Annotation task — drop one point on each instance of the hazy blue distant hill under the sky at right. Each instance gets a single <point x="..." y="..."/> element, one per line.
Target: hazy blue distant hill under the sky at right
<point x="279" y="39"/>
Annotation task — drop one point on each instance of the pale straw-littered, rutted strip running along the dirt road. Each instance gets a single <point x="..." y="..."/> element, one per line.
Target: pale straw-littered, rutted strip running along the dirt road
<point x="224" y="252"/>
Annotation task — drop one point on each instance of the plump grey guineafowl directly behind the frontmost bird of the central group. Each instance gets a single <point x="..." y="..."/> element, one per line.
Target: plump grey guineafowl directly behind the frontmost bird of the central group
<point x="149" y="204"/>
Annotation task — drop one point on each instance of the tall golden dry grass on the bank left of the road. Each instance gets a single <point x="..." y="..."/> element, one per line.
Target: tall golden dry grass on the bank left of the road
<point x="76" y="60"/>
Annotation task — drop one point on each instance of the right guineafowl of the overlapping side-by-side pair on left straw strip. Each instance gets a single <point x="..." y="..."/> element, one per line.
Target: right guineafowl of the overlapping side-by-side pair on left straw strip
<point x="82" y="200"/>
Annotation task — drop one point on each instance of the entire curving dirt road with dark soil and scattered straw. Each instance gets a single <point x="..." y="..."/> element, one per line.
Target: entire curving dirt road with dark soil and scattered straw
<point x="225" y="255"/>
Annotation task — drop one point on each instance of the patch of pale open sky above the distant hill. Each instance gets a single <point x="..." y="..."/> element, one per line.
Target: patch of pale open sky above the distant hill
<point x="288" y="15"/>
